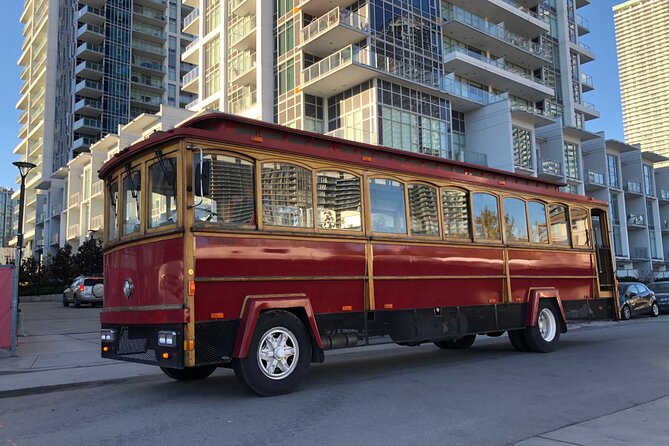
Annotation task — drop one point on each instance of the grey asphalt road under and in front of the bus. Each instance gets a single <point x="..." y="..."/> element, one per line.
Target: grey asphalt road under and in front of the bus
<point x="389" y="395"/>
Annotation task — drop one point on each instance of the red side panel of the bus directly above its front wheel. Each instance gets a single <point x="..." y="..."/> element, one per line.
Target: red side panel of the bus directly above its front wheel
<point x="270" y="266"/>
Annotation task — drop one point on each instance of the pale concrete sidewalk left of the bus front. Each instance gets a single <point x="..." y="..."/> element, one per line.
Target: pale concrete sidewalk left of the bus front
<point x="60" y="349"/>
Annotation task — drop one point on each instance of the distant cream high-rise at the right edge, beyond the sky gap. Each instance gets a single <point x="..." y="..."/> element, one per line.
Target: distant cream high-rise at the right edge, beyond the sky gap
<point x="642" y="37"/>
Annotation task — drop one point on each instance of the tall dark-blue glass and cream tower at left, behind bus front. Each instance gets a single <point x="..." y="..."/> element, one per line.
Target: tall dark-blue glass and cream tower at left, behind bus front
<point x="89" y="66"/>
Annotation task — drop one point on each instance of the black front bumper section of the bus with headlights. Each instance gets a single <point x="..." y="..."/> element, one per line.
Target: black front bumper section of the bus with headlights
<point x="139" y="343"/>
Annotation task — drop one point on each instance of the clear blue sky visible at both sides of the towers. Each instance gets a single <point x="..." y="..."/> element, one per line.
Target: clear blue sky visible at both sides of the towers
<point x="601" y="39"/>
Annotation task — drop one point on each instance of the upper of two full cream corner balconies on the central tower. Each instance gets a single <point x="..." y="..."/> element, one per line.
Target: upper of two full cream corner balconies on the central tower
<point x="334" y="30"/>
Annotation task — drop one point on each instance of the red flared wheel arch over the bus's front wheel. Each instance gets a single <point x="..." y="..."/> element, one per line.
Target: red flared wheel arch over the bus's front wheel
<point x="297" y="304"/>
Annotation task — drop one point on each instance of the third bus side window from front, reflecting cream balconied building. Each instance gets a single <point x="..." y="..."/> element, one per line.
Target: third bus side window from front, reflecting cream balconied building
<point x="338" y="201"/>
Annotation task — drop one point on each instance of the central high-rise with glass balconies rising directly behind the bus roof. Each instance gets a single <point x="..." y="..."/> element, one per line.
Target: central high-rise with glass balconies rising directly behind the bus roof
<point x="486" y="81"/>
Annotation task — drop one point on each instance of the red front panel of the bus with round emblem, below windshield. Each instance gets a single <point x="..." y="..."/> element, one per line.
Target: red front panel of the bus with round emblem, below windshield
<point x="156" y="270"/>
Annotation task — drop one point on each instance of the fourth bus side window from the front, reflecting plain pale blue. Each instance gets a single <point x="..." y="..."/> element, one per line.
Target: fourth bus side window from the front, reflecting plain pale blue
<point x="387" y="206"/>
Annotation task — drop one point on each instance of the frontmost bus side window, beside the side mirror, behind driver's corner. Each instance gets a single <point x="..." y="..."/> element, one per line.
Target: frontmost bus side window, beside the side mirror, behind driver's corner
<point x="224" y="187"/>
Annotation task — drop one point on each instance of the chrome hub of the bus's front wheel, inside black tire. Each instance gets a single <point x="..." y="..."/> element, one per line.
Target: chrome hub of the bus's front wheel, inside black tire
<point x="278" y="352"/>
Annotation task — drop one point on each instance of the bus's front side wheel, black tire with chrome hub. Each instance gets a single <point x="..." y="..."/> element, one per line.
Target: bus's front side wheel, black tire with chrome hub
<point x="284" y="371"/>
